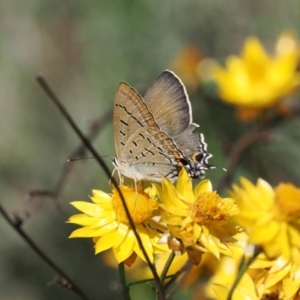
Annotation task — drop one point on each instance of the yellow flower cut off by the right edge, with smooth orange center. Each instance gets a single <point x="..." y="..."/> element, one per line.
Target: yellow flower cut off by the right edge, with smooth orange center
<point x="271" y="217"/>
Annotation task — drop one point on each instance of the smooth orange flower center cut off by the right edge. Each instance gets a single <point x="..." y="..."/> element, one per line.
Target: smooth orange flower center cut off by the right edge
<point x="287" y="197"/>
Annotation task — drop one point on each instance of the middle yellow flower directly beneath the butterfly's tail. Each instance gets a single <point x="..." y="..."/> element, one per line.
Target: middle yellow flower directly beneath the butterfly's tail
<point x="199" y="218"/>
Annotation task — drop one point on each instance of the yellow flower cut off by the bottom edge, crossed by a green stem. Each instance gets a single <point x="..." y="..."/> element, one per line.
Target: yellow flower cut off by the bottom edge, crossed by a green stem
<point x="265" y="279"/>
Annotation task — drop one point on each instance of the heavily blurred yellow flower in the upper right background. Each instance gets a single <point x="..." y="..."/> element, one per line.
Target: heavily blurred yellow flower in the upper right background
<point x="255" y="80"/>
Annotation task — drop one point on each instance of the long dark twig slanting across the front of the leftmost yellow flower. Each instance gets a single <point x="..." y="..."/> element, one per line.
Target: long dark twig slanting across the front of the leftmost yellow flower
<point x="46" y="88"/>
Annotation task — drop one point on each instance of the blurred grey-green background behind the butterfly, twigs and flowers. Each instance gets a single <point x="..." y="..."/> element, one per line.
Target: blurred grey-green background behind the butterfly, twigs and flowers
<point x="84" y="49"/>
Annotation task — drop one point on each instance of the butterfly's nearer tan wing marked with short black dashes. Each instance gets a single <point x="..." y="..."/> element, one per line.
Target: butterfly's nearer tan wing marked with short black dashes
<point x="143" y="151"/>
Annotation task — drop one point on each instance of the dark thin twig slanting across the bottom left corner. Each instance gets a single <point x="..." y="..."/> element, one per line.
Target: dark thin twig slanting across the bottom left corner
<point x="16" y="226"/>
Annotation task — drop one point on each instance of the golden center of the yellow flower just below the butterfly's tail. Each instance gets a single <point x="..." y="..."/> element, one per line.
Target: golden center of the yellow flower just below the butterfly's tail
<point x="210" y="207"/>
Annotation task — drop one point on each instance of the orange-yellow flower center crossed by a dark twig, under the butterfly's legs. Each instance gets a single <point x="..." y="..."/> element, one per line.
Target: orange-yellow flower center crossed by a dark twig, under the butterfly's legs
<point x="139" y="203"/>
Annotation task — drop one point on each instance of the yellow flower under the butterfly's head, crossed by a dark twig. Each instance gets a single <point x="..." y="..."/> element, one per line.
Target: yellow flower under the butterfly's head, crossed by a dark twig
<point x="106" y="222"/>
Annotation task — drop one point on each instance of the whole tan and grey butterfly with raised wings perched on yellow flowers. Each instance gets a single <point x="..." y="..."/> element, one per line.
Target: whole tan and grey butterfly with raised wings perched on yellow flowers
<point x="153" y="134"/>
